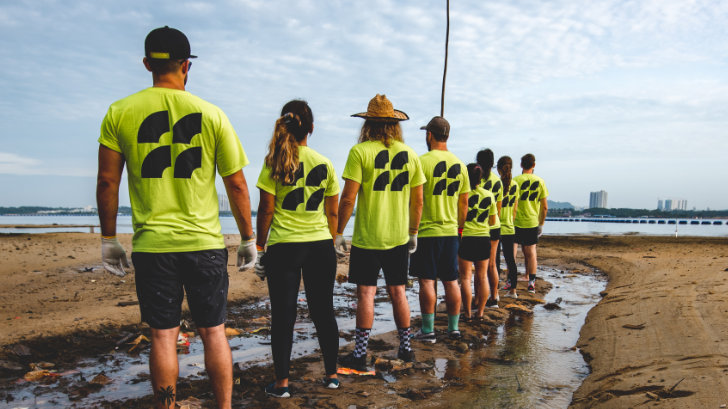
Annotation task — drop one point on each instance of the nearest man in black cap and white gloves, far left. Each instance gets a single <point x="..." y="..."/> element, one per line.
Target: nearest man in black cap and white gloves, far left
<point x="172" y="142"/>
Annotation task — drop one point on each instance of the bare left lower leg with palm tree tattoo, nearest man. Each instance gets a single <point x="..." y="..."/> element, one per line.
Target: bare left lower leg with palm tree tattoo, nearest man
<point x="164" y="367"/>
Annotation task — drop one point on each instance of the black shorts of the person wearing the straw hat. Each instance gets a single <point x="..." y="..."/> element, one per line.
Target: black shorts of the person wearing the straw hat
<point x="364" y="265"/>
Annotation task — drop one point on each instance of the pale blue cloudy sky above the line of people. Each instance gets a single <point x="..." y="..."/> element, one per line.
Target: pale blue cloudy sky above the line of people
<point x="630" y="97"/>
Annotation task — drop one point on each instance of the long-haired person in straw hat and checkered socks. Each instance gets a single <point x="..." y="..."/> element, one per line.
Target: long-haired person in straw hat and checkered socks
<point x="387" y="177"/>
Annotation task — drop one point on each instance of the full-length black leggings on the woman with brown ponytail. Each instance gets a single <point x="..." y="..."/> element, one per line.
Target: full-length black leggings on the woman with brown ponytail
<point x="284" y="263"/>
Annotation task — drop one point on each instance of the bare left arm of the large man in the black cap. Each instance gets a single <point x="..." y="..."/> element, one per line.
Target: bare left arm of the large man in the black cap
<point x="111" y="166"/>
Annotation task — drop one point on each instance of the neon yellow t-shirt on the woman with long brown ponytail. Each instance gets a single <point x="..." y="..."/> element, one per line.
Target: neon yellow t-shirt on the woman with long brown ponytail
<point x="299" y="208"/>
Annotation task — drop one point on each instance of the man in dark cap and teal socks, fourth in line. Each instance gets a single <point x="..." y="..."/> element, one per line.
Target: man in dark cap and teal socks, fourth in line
<point x="443" y="213"/>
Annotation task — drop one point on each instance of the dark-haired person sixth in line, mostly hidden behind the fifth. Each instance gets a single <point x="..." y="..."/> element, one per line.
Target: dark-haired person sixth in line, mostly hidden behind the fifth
<point x="492" y="183"/>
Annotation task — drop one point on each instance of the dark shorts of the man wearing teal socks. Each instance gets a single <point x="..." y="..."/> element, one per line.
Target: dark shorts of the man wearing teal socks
<point x="436" y="257"/>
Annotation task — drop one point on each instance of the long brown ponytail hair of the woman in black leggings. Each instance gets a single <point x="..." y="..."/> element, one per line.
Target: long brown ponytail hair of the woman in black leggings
<point x="295" y="123"/>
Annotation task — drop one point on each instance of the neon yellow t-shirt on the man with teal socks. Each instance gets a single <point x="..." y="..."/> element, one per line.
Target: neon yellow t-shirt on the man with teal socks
<point x="447" y="179"/>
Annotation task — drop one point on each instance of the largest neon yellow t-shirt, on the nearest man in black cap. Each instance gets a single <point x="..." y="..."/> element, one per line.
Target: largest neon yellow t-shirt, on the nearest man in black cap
<point x="173" y="142"/>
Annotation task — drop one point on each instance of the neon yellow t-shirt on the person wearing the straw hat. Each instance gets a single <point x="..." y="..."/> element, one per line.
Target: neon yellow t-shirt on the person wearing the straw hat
<point x="386" y="176"/>
